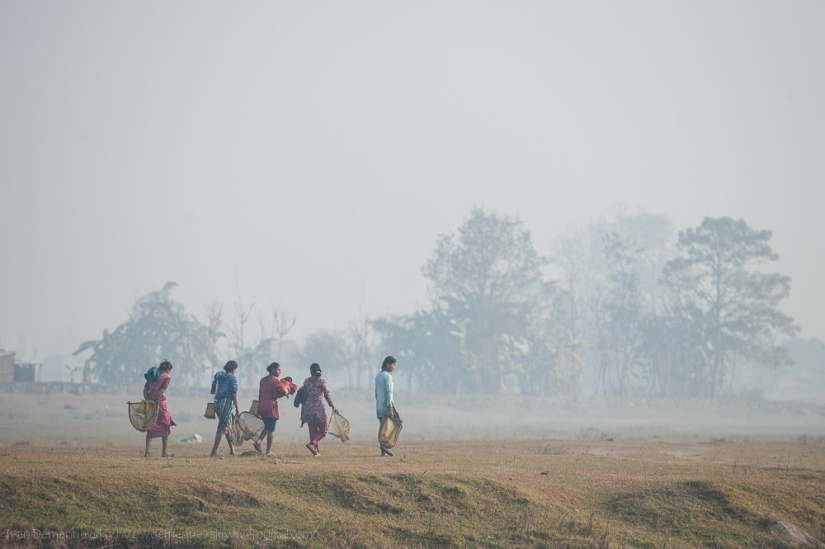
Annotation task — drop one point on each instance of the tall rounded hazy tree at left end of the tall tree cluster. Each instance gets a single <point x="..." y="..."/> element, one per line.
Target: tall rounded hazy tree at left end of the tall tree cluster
<point x="485" y="280"/>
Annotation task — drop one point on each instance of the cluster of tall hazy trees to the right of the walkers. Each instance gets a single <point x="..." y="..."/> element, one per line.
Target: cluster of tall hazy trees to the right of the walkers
<point x="629" y="312"/>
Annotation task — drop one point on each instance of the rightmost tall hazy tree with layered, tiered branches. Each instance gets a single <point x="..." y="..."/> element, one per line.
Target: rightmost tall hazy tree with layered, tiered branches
<point x="725" y="300"/>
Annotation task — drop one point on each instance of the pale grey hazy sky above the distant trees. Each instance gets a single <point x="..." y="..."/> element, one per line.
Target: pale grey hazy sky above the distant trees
<point x="305" y="155"/>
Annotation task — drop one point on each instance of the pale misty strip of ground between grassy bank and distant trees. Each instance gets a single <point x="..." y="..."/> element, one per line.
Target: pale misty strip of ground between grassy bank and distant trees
<point x="91" y="420"/>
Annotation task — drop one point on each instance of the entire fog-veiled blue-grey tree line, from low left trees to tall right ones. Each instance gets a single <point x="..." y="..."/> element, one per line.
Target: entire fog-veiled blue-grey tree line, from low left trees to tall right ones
<point x="623" y="308"/>
